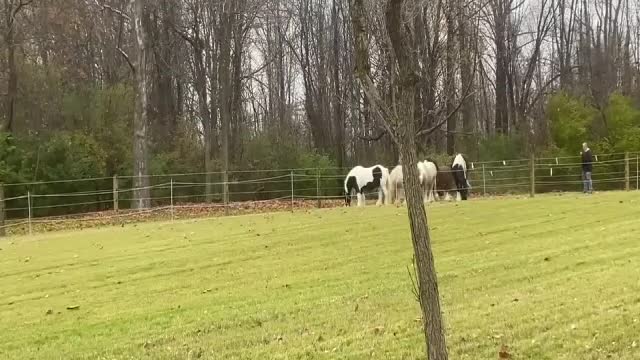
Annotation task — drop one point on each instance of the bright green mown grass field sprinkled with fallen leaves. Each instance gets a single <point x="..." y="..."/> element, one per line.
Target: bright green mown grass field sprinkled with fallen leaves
<point x="555" y="277"/>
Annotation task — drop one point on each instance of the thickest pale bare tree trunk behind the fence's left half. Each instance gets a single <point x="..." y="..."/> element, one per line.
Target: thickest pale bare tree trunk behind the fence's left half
<point x="140" y="147"/>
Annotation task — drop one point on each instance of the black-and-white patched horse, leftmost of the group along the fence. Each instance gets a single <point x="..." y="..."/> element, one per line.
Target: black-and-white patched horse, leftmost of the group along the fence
<point x="361" y="179"/>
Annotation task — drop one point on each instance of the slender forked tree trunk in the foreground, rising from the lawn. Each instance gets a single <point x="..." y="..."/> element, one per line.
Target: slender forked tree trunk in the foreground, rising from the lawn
<point x="400" y="123"/>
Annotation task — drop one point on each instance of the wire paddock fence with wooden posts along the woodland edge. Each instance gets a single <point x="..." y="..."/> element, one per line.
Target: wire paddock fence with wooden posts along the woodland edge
<point x="35" y="206"/>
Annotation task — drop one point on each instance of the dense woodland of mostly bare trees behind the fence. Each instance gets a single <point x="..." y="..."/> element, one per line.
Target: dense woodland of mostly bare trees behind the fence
<point x="93" y="88"/>
